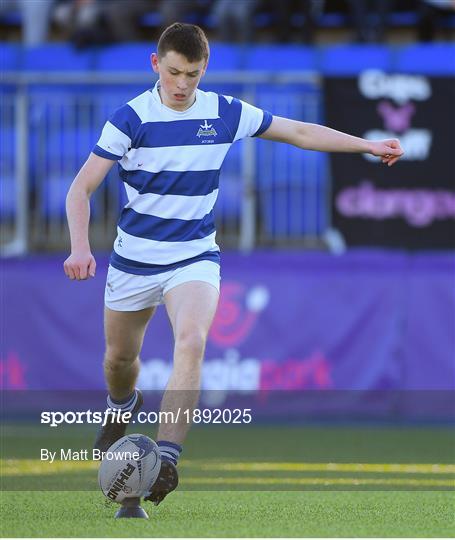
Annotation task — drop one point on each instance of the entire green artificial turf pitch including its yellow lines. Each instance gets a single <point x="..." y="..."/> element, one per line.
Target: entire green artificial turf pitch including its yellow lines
<point x="265" y="482"/>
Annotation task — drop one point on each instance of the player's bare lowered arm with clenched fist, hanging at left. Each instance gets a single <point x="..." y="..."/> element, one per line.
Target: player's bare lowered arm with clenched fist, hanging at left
<point x="81" y="263"/>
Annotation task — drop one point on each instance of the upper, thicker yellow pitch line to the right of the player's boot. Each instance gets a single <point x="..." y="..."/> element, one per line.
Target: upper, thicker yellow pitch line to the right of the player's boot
<point x="414" y="468"/>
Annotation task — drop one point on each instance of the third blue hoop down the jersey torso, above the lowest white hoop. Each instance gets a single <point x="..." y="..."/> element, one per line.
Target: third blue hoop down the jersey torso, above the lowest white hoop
<point x="165" y="230"/>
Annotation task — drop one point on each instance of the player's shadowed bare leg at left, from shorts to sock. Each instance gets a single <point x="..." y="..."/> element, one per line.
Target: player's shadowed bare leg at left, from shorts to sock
<point x="124" y="332"/>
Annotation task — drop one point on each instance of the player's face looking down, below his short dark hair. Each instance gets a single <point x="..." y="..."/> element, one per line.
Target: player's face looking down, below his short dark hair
<point x="179" y="79"/>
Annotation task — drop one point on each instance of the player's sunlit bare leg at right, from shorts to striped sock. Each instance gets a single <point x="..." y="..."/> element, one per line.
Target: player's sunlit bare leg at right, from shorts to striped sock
<point x="191" y="307"/>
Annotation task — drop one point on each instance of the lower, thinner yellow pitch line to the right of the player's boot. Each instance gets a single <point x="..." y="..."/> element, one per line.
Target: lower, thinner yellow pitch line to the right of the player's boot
<point x="427" y="482"/>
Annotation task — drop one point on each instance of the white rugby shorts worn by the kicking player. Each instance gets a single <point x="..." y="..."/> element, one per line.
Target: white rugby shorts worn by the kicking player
<point x="131" y="292"/>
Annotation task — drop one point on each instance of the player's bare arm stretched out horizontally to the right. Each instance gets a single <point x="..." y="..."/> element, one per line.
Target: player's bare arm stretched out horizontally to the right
<point x="324" y="139"/>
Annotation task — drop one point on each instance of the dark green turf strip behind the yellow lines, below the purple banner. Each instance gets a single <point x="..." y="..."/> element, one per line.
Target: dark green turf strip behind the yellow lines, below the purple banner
<point x="323" y="443"/>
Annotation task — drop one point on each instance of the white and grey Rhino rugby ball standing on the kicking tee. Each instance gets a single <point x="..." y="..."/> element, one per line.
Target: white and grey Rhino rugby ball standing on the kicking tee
<point x="129" y="467"/>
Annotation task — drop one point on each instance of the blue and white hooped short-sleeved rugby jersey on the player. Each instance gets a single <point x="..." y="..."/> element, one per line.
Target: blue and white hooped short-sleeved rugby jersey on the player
<point x="170" y="164"/>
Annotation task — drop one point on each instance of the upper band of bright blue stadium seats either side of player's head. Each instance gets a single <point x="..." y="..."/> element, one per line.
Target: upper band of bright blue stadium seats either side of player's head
<point x="435" y="58"/>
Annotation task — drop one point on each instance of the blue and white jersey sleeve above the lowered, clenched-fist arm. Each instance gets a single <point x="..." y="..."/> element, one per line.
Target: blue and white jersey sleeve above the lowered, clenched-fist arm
<point x="117" y="134"/>
